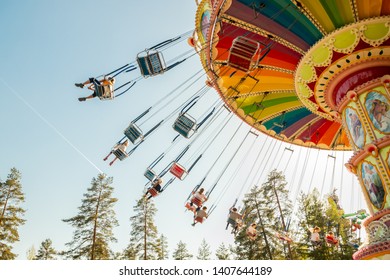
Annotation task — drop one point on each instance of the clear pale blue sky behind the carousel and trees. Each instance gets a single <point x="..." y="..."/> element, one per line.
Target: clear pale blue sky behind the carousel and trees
<point x="58" y="143"/>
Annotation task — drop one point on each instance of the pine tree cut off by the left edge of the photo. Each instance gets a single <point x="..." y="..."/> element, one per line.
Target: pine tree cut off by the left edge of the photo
<point x="11" y="196"/>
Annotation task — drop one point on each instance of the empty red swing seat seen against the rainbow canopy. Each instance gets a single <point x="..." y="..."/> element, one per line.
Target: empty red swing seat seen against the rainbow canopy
<point x="243" y="54"/>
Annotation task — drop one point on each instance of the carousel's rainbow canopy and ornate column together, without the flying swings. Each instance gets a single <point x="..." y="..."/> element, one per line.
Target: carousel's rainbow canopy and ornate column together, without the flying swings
<point x="313" y="73"/>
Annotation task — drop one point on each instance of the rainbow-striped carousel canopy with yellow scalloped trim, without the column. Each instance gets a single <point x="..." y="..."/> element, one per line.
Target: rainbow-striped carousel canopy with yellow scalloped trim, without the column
<point x="281" y="86"/>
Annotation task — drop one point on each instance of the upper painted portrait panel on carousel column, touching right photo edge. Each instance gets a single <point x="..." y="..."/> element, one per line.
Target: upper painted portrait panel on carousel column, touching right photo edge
<point x="377" y="106"/>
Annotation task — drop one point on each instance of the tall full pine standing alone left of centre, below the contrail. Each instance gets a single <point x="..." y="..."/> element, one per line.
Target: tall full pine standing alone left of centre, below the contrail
<point x="94" y="223"/>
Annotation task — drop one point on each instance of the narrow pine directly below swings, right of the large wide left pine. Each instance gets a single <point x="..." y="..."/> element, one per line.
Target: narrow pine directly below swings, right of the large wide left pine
<point x="143" y="236"/>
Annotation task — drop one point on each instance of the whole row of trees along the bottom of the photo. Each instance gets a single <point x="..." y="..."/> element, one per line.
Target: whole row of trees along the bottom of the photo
<point x="268" y="206"/>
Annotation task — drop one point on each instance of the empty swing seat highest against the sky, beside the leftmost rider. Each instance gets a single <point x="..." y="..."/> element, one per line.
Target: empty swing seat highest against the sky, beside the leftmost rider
<point x="151" y="63"/>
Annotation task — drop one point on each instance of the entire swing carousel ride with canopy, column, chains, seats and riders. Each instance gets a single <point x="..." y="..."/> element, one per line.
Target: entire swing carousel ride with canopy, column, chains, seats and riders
<point x="312" y="73"/>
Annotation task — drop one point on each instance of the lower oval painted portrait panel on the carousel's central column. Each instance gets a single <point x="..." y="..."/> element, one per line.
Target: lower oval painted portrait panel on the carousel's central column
<point x="373" y="184"/>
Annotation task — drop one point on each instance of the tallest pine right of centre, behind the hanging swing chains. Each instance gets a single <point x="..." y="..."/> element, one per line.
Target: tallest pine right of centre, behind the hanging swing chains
<point x="268" y="206"/>
